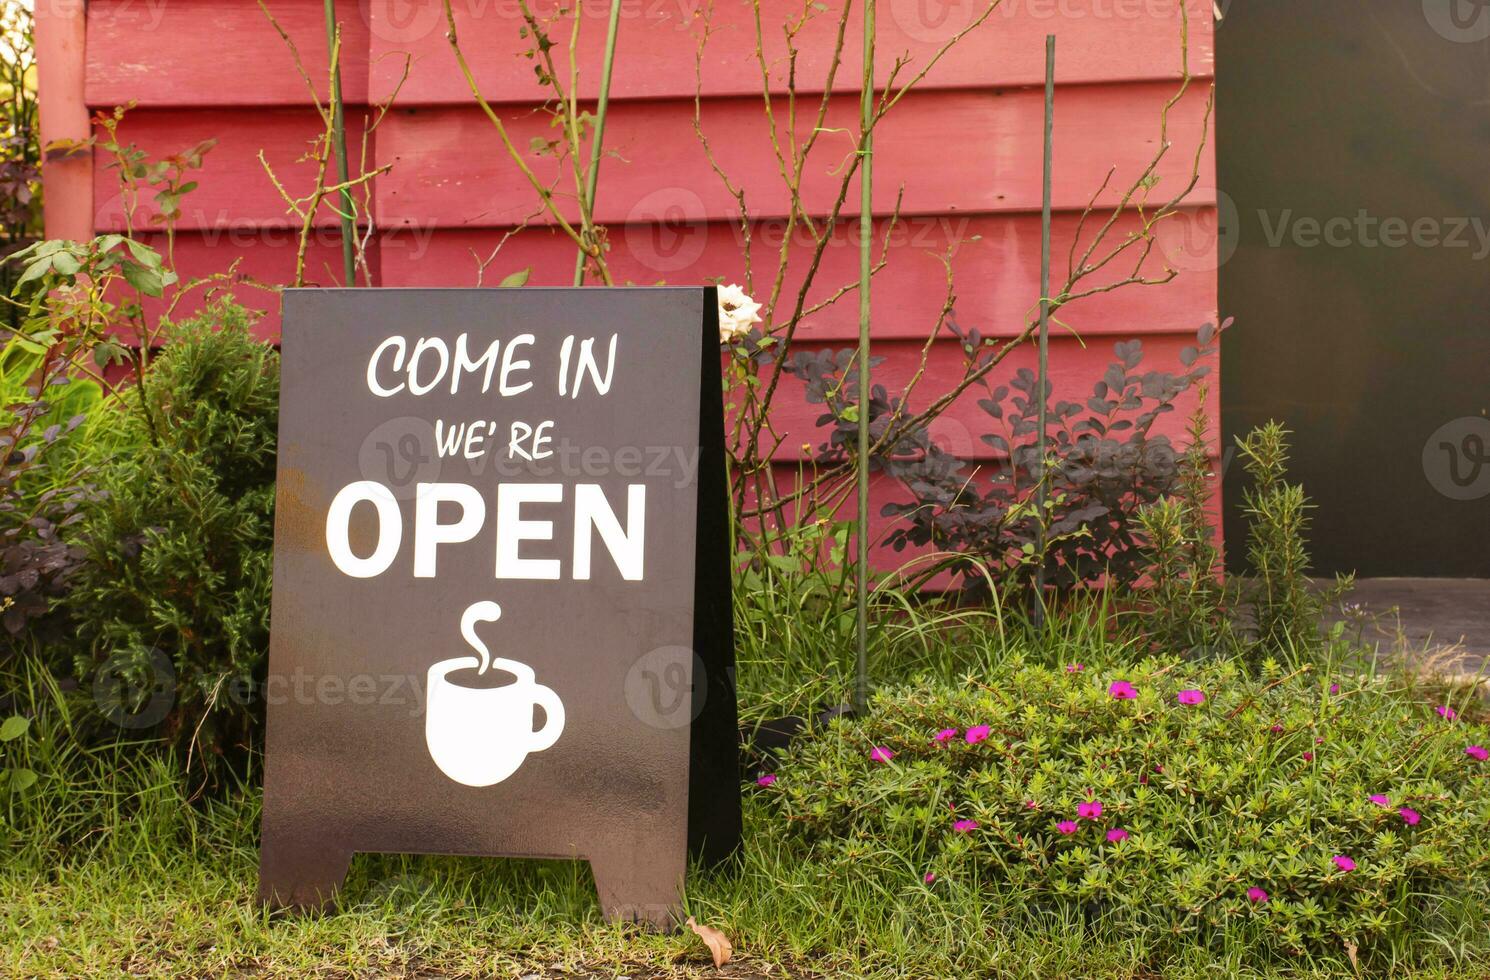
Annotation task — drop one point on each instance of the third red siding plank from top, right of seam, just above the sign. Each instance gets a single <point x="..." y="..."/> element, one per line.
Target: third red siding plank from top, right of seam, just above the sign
<point x="996" y="266"/>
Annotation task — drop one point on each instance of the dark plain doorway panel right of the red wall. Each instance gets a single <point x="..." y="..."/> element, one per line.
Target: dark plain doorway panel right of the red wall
<point x="1355" y="163"/>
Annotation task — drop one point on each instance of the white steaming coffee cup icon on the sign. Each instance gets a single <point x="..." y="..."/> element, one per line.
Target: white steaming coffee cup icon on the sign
<point x="481" y="729"/>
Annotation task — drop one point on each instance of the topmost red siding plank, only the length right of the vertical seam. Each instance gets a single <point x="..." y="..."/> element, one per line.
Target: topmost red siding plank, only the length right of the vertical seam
<point x="656" y="57"/>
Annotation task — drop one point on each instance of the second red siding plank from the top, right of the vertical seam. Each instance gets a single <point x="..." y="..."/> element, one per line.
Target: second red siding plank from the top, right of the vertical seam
<point x="951" y="151"/>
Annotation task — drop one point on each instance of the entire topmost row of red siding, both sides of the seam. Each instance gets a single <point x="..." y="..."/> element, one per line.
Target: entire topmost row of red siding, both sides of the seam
<point x="226" y="53"/>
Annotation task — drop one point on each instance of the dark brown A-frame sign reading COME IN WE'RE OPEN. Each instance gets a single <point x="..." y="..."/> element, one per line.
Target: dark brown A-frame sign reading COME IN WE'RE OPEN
<point x="501" y="617"/>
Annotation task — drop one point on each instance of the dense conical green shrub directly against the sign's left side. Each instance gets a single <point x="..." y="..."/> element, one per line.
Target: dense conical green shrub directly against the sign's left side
<point x="174" y="599"/>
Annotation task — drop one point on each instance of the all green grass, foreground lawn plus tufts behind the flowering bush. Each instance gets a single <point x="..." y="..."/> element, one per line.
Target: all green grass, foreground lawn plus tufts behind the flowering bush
<point x="112" y="872"/>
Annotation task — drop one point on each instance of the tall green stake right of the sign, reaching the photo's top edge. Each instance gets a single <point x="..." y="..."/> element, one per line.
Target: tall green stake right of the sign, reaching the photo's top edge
<point x="866" y="232"/>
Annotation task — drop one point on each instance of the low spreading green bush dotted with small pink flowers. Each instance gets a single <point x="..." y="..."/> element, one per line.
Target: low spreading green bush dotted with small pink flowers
<point x="1176" y="804"/>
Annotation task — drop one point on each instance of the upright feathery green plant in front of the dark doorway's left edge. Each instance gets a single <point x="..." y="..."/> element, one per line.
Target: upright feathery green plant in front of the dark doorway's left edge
<point x="1287" y="607"/>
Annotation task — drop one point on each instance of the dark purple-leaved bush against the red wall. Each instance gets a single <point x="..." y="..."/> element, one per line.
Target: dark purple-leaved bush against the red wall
<point x="1106" y="465"/>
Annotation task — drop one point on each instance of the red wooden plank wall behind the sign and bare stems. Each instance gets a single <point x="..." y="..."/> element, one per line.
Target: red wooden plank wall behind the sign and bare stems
<point x="965" y="148"/>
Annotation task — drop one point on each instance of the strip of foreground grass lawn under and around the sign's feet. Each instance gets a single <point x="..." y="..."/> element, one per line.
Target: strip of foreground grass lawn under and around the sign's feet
<point x="188" y="911"/>
